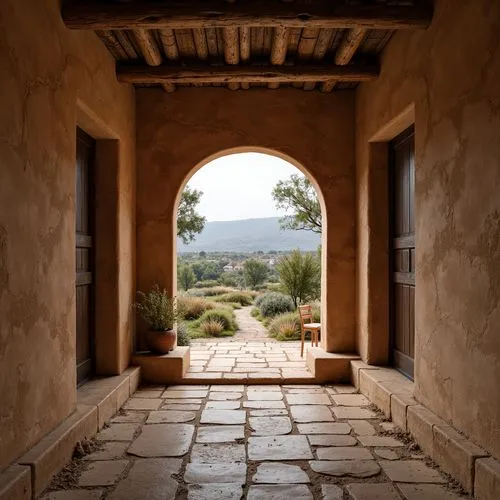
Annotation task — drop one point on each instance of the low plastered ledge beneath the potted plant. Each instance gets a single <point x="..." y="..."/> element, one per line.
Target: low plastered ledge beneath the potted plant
<point x="163" y="369"/>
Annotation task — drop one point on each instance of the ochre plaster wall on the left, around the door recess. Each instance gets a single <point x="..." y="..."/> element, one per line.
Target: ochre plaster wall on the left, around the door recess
<point x="45" y="70"/>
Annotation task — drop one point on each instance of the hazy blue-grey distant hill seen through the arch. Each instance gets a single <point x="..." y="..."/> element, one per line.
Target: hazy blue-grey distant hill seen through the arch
<point x="250" y="235"/>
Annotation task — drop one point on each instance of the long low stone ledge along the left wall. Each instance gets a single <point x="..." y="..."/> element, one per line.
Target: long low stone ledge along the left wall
<point x="100" y="400"/>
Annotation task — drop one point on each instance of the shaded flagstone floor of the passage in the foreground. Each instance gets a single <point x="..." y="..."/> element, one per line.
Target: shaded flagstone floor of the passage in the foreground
<point x="256" y="442"/>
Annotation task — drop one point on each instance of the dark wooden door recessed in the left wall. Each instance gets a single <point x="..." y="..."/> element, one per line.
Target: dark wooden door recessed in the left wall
<point x="85" y="151"/>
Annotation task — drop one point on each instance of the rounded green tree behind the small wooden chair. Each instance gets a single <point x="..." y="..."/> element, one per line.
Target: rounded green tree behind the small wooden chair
<point x="300" y="276"/>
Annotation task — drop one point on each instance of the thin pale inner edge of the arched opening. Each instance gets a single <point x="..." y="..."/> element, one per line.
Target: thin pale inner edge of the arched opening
<point x="298" y="166"/>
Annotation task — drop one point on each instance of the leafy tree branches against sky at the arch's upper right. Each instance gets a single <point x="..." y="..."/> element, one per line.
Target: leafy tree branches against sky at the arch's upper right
<point x="298" y="195"/>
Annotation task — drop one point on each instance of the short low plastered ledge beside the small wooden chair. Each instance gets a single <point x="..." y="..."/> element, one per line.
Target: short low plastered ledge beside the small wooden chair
<point x="329" y="367"/>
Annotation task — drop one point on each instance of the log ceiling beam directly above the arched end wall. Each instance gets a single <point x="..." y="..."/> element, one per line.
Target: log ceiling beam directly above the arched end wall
<point x="243" y="74"/>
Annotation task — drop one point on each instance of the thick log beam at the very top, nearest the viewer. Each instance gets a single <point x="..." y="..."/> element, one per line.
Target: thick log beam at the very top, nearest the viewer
<point x="148" y="14"/>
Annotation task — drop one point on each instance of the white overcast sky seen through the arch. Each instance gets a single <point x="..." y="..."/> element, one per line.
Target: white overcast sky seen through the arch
<point x="239" y="186"/>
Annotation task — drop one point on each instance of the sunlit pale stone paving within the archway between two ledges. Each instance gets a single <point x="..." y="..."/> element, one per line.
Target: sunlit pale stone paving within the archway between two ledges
<point x="225" y="359"/>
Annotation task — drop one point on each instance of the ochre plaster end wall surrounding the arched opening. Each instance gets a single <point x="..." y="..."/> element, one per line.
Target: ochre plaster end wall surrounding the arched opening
<point x="177" y="131"/>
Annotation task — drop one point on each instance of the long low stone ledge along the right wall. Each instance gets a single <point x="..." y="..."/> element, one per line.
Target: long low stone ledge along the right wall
<point x="393" y="394"/>
